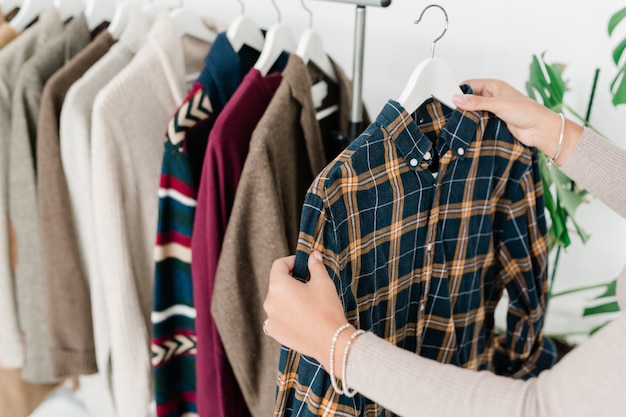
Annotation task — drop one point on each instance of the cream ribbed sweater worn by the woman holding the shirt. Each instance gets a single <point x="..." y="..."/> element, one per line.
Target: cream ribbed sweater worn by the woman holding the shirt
<point x="590" y="381"/>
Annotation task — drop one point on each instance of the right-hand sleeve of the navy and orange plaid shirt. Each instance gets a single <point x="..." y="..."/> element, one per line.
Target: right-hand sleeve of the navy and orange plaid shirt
<point x="522" y="255"/>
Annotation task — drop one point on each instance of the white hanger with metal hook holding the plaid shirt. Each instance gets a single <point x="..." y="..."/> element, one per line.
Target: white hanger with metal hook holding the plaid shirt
<point x="431" y="78"/>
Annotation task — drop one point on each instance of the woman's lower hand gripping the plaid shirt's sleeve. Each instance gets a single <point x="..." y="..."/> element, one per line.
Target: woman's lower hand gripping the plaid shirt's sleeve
<point x="304" y="316"/>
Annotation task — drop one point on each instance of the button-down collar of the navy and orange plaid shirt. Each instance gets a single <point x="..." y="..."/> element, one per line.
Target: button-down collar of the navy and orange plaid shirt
<point x="457" y="134"/>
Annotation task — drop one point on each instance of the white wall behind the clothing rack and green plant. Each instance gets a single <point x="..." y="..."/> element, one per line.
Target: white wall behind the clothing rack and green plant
<point x="486" y="38"/>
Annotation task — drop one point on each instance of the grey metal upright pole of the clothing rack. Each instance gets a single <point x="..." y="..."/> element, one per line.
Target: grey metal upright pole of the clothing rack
<point x="355" y="126"/>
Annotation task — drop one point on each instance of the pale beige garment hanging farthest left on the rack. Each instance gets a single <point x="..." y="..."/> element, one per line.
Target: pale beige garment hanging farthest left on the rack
<point x="12" y="59"/>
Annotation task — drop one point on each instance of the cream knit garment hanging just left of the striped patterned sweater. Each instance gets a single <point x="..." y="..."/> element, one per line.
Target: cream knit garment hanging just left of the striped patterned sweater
<point x="129" y="117"/>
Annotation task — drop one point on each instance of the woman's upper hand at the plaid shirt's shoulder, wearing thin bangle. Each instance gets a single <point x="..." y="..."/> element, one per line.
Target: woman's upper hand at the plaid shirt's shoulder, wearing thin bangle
<point x="530" y="122"/>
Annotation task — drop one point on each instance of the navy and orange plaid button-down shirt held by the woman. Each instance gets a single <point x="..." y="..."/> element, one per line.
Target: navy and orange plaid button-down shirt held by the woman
<point x="421" y="259"/>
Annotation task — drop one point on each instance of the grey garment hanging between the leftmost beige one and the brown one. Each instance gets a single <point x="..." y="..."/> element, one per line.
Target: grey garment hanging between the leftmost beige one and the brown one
<point x="22" y="192"/>
